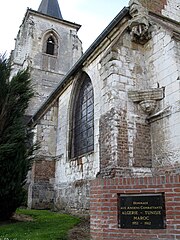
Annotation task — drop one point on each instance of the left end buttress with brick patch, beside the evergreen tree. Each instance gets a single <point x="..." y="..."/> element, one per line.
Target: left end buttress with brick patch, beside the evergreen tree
<point x="42" y="176"/>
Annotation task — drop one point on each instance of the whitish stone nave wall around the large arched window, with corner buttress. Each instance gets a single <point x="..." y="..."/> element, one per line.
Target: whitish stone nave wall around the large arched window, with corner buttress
<point x="128" y="141"/>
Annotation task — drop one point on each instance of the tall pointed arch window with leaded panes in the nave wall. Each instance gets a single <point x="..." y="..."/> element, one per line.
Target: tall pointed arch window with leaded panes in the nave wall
<point x="83" y="124"/>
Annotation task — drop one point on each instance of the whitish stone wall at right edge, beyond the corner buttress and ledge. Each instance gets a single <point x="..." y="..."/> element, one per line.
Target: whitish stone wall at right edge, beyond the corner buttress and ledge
<point x="163" y="71"/>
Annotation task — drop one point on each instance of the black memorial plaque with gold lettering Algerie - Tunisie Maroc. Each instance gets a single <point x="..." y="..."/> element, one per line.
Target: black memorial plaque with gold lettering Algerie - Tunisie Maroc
<point x="144" y="211"/>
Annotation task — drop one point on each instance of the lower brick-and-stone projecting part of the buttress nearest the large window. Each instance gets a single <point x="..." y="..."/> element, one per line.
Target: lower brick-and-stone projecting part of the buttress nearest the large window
<point x="113" y="140"/>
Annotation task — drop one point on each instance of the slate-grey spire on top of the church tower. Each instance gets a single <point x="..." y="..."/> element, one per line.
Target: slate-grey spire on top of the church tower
<point x="51" y="8"/>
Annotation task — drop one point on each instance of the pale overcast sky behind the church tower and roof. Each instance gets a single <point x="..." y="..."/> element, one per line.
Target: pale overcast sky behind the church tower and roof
<point x="93" y="15"/>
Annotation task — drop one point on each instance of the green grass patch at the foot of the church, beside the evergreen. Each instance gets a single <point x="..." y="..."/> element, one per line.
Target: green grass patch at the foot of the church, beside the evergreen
<point x="46" y="226"/>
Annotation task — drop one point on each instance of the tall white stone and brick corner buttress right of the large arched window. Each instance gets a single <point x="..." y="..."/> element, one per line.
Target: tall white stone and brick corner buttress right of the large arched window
<point x="125" y="141"/>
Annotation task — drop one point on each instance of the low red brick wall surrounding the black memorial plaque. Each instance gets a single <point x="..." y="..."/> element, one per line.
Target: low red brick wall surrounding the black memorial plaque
<point x="104" y="207"/>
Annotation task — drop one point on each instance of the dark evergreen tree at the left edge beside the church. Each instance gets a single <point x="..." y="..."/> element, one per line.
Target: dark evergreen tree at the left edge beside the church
<point x="15" y="148"/>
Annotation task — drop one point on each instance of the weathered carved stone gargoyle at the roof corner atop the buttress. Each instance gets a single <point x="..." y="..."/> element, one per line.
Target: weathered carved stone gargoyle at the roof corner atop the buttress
<point x="139" y="25"/>
